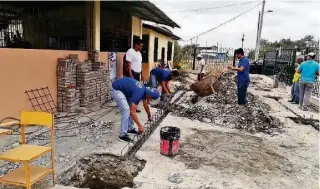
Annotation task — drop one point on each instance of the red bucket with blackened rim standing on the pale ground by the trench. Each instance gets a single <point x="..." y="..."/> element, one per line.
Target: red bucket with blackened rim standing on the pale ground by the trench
<point x="169" y="145"/>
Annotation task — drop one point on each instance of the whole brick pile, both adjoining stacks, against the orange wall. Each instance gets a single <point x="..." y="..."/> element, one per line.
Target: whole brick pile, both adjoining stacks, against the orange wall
<point x="91" y="83"/>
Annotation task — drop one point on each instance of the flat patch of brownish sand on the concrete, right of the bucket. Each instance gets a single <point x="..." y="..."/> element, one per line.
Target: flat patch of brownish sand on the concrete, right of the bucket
<point x="231" y="152"/>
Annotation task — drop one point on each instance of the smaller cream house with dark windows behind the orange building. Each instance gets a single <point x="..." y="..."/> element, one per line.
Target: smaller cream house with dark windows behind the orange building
<point x="158" y="45"/>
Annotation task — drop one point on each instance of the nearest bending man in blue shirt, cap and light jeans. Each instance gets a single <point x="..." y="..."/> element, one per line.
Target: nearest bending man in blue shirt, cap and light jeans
<point x="127" y="93"/>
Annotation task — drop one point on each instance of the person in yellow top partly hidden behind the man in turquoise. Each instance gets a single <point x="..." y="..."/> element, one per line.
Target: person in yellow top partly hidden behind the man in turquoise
<point x="295" y="85"/>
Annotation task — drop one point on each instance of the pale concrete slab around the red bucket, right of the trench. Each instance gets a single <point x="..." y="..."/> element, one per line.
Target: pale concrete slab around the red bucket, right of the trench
<point x="296" y="149"/>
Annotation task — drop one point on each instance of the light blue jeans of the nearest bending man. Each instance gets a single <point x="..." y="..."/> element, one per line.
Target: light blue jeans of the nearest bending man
<point x="124" y="106"/>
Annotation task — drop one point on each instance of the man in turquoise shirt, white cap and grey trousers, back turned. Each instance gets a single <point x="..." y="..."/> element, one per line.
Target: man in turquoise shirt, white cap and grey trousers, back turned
<point x="309" y="71"/>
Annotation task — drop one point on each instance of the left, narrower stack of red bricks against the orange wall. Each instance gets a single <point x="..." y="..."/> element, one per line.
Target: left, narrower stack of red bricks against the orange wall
<point x="68" y="95"/>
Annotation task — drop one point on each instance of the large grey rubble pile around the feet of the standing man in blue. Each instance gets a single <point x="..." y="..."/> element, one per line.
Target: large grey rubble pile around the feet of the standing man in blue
<point x="222" y="109"/>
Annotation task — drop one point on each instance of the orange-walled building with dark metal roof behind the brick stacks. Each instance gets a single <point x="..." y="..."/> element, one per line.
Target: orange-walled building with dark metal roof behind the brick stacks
<point x="34" y="34"/>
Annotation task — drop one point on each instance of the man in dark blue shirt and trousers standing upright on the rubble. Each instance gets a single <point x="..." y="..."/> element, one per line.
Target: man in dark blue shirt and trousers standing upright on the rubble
<point x="242" y="76"/>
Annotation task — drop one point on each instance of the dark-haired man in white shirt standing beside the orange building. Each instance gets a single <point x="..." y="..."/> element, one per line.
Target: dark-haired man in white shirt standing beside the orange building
<point x="132" y="64"/>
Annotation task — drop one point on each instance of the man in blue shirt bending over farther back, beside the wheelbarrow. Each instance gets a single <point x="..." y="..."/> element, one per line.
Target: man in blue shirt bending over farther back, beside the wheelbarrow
<point x="162" y="76"/>
